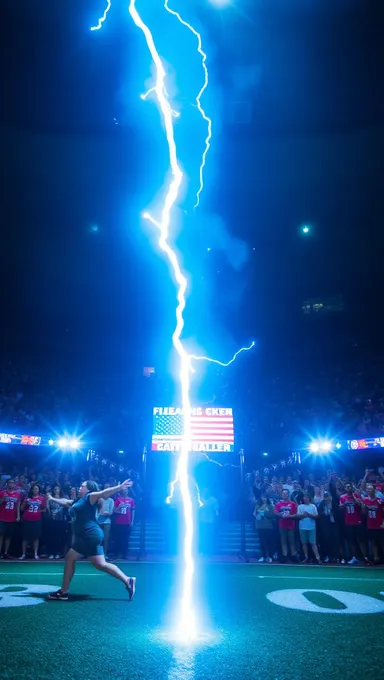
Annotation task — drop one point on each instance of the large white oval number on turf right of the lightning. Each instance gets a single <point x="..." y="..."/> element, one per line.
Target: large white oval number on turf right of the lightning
<point x="350" y="603"/>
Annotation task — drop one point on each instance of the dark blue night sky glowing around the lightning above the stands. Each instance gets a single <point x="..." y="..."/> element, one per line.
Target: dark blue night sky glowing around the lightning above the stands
<point x="311" y="150"/>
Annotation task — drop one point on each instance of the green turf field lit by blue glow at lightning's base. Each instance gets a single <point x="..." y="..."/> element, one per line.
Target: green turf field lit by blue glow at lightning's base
<point x="99" y="634"/>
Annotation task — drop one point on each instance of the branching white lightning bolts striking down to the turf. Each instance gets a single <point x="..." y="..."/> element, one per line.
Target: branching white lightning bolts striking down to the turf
<point x="187" y="629"/>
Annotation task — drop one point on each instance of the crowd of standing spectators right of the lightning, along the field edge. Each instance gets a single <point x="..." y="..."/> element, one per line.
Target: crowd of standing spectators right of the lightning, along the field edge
<point x="328" y="519"/>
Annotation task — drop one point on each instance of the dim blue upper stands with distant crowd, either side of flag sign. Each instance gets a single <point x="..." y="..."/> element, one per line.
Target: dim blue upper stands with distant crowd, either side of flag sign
<point x="273" y="409"/>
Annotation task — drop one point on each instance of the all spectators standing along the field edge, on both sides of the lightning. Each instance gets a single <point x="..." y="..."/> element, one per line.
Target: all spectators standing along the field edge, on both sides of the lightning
<point x="329" y="519"/>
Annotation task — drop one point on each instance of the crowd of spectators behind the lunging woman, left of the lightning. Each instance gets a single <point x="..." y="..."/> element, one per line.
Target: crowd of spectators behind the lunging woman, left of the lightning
<point x="30" y="520"/>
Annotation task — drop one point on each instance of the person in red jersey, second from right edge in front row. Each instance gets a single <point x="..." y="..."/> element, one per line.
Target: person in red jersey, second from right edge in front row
<point x="351" y="505"/>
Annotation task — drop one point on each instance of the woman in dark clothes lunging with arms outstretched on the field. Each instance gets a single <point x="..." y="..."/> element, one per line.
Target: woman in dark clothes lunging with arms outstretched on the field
<point x="88" y="536"/>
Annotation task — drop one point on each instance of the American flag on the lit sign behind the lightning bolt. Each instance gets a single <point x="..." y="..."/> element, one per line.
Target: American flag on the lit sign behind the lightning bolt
<point x="215" y="429"/>
